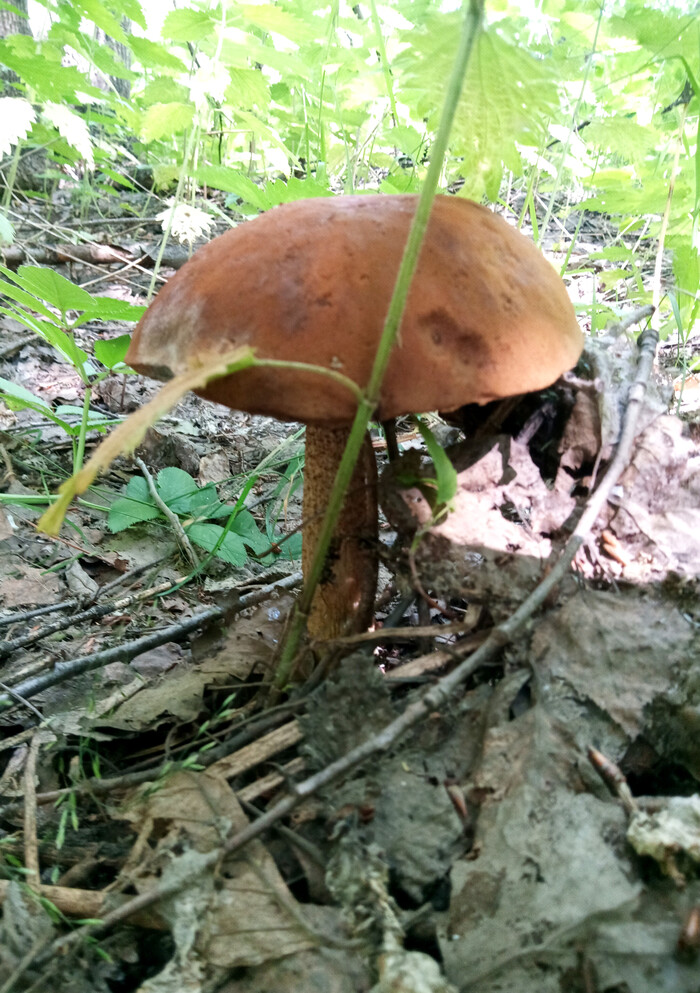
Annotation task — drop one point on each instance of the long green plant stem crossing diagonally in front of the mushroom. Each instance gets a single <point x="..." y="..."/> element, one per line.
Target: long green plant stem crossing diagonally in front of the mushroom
<point x="370" y="399"/>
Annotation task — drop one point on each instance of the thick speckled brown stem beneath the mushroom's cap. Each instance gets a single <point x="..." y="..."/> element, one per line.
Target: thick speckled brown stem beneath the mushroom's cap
<point x="344" y="599"/>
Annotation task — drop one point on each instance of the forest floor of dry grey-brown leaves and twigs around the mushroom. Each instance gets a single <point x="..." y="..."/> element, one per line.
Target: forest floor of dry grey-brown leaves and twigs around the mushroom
<point x="483" y="849"/>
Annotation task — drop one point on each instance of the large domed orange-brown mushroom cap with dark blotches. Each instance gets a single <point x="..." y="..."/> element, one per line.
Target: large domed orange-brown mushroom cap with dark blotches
<point x="487" y="316"/>
